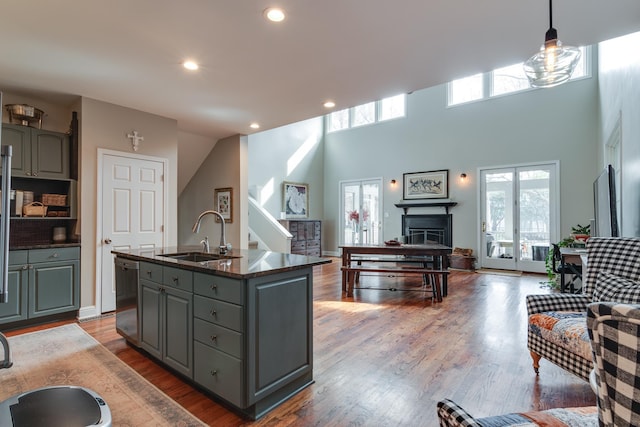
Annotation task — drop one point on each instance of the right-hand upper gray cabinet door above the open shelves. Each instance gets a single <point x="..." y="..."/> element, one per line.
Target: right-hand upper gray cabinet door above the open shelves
<point x="49" y="154"/>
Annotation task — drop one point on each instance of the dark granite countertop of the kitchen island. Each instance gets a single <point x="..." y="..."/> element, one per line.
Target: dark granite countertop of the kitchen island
<point x="239" y="263"/>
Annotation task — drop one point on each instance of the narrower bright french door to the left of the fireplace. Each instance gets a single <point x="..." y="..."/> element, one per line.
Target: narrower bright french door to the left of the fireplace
<point x="360" y="207"/>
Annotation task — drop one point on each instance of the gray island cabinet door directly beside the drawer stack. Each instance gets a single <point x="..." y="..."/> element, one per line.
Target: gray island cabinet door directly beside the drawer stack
<point x="178" y="330"/>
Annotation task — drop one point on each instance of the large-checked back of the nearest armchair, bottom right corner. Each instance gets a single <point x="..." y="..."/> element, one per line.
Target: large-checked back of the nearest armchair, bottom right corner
<point x="614" y="330"/>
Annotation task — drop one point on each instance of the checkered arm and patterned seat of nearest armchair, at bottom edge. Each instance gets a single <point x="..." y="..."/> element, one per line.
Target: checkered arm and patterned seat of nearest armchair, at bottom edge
<point x="451" y="414"/>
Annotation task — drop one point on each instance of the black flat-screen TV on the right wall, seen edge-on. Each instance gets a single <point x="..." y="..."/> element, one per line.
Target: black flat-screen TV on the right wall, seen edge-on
<point x="606" y="216"/>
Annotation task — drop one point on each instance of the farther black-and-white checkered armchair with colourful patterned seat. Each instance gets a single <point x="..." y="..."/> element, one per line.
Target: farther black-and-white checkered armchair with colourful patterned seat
<point x="557" y="322"/>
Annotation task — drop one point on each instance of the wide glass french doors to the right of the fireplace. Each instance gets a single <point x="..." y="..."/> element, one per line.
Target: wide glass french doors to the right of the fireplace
<point x="519" y="210"/>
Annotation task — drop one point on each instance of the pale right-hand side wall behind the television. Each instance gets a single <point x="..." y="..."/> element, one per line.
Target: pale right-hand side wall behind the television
<point x="619" y="71"/>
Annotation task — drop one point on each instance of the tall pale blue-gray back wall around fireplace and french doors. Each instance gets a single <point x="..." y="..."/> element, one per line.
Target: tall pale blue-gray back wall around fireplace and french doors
<point x="533" y="126"/>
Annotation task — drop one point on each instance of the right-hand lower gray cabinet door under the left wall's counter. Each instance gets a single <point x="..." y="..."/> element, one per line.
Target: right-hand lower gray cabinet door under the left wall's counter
<point x="53" y="287"/>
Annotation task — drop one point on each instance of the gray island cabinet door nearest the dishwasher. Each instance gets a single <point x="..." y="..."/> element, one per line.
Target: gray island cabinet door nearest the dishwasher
<point x="150" y="303"/>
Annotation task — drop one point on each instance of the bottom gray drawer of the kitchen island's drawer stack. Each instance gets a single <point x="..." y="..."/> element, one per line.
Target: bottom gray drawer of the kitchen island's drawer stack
<point x="219" y="373"/>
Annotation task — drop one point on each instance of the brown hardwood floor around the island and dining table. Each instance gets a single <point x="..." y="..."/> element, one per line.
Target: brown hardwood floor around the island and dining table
<point x="385" y="358"/>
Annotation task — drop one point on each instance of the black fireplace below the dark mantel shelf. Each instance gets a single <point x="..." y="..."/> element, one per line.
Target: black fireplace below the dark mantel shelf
<point x="417" y="229"/>
